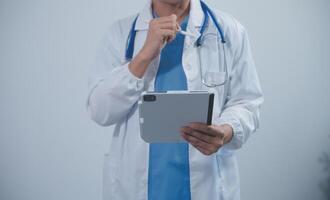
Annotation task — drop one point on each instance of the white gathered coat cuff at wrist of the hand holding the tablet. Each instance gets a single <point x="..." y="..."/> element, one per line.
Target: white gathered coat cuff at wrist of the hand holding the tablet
<point x="236" y="140"/>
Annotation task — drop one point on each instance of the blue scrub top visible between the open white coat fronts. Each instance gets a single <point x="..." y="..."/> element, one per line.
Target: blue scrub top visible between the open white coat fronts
<point x="168" y="174"/>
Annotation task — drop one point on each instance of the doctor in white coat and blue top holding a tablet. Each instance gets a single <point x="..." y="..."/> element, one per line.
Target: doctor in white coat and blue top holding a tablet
<point x="146" y="51"/>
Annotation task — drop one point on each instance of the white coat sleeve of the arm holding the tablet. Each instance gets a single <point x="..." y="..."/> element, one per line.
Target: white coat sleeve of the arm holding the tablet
<point x="241" y="110"/>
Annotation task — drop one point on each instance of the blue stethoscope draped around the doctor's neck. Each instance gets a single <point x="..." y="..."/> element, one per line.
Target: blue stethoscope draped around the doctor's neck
<point x="210" y="80"/>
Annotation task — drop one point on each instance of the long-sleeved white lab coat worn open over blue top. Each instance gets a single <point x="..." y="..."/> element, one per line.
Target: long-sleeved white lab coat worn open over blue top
<point x="114" y="92"/>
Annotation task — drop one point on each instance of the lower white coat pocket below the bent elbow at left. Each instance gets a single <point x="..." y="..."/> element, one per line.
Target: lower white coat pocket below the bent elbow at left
<point x="108" y="177"/>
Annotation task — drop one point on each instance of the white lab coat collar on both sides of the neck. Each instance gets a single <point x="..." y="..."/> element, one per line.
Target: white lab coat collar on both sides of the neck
<point x="195" y="21"/>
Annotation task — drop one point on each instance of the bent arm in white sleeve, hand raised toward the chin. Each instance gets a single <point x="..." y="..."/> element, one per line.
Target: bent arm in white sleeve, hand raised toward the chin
<point x="116" y="85"/>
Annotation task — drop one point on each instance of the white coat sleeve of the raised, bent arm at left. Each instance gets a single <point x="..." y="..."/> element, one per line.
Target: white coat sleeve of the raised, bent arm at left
<point x="112" y="88"/>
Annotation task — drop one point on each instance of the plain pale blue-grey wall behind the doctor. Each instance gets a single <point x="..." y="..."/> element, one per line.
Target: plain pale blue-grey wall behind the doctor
<point x="50" y="149"/>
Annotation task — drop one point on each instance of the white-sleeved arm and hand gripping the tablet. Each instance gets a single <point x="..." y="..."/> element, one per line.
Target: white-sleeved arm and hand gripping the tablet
<point x="240" y="116"/>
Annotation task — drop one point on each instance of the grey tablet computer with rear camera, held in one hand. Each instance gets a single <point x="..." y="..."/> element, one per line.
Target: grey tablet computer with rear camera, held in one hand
<point x="162" y="114"/>
